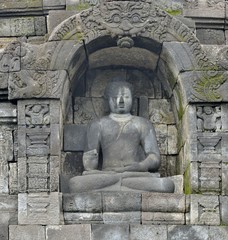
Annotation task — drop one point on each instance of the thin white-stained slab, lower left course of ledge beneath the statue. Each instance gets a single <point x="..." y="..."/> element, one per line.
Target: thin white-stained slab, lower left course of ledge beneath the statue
<point x="82" y="218"/>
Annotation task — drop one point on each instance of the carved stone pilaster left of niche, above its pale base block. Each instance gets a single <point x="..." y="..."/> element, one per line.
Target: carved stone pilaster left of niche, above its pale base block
<point x="39" y="145"/>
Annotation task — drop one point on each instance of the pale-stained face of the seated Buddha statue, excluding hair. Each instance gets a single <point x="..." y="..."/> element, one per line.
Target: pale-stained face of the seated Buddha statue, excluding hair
<point x="121" y="100"/>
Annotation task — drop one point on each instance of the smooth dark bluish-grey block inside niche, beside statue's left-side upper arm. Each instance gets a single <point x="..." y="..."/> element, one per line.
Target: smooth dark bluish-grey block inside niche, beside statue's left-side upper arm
<point x="74" y="137"/>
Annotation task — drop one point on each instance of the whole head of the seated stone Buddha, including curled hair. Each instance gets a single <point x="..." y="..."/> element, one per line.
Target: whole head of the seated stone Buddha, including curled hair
<point x="119" y="94"/>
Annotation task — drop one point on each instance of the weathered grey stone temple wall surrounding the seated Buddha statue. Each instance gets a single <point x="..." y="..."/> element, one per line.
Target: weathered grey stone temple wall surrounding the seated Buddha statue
<point x="56" y="58"/>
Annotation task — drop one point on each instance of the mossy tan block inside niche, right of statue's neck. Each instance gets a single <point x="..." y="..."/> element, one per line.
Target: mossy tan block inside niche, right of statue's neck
<point x="160" y="111"/>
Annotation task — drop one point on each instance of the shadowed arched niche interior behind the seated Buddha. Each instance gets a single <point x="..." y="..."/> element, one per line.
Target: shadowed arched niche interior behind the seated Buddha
<point x="152" y="99"/>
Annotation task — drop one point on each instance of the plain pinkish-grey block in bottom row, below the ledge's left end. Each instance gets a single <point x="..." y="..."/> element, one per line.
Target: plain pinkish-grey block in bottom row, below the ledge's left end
<point x="79" y="232"/>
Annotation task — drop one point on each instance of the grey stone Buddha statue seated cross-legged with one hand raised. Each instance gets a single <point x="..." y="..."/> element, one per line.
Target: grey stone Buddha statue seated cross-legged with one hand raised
<point x="129" y="148"/>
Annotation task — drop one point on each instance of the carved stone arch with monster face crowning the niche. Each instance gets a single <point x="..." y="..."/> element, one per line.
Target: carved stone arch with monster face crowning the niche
<point x="125" y="20"/>
